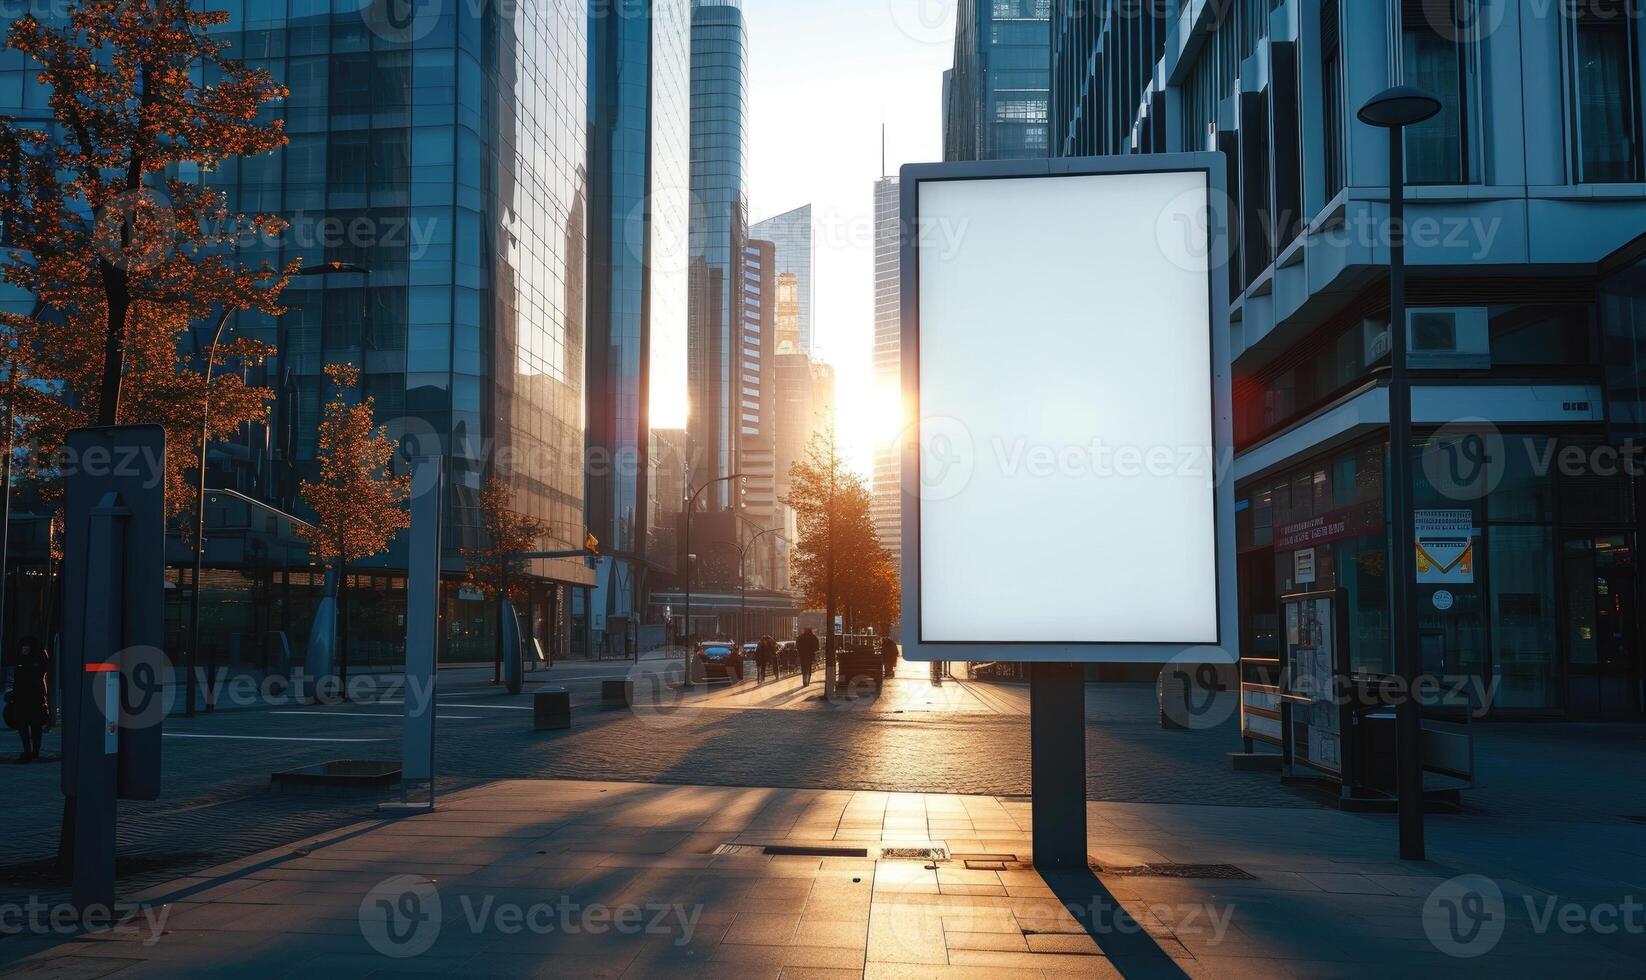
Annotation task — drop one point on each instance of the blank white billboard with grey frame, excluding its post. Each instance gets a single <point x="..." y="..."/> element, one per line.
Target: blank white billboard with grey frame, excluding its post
<point x="1067" y="490"/>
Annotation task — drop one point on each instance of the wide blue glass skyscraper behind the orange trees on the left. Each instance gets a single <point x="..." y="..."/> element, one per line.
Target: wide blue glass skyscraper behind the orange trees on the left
<point x="445" y="152"/>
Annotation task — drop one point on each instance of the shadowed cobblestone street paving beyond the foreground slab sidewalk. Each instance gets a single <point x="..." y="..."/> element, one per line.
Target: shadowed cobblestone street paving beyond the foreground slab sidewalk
<point x="218" y="803"/>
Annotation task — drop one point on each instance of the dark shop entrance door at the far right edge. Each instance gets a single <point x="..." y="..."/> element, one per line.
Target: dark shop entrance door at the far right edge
<point x="1604" y="668"/>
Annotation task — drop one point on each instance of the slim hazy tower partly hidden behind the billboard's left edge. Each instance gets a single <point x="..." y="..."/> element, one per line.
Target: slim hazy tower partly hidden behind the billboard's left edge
<point x="888" y="363"/>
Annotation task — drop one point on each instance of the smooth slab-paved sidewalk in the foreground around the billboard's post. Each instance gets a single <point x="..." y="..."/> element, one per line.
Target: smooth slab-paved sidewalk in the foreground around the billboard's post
<point x="554" y="879"/>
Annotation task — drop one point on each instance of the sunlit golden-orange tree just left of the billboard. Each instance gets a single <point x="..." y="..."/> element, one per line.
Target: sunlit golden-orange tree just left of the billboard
<point x="839" y="562"/>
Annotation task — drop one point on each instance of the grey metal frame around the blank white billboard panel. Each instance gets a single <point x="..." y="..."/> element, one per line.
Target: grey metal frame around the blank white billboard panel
<point x="1225" y="650"/>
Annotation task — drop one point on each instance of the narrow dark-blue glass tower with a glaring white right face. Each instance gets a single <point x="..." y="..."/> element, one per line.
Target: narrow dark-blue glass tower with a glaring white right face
<point x="639" y="210"/>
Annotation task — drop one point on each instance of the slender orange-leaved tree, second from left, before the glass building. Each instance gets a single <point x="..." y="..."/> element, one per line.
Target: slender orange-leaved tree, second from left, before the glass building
<point x="360" y="502"/>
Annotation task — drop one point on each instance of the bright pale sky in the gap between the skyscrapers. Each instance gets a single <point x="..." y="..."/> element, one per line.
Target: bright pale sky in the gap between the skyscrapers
<point x="824" y="80"/>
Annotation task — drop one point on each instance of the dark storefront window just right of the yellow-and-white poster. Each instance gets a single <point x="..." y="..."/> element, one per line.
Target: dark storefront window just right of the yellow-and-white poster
<point x="1523" y="617"/>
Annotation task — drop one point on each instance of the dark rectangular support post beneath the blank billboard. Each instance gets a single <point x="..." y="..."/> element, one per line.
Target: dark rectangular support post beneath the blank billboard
<point x="1058" y="762"/>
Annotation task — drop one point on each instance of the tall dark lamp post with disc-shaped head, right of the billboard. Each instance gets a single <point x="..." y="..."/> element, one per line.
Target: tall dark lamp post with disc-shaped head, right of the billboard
<point x="1397" y="110"/>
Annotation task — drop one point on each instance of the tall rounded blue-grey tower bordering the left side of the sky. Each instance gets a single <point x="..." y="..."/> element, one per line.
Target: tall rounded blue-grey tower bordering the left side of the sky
<point x="718" y="230"/>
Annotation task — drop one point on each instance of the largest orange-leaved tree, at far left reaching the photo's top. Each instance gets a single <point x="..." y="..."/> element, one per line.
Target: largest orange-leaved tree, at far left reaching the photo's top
<point x="123" y="251"/>
